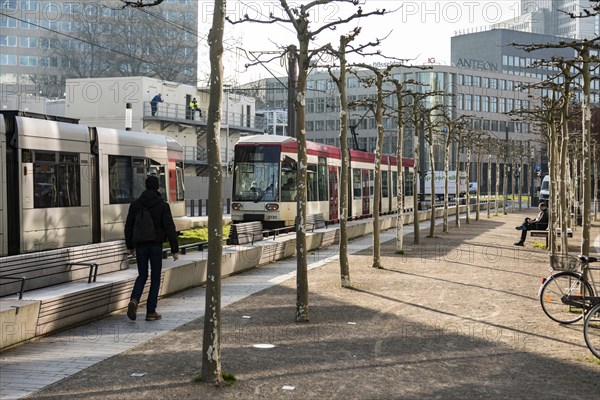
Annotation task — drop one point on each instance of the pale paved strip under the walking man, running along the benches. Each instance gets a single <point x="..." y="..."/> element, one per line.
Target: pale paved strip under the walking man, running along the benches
<point x="39" y="363"/>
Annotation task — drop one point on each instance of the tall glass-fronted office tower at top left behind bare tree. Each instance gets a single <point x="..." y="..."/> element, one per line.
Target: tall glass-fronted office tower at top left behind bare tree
<point x="43" y="43"/>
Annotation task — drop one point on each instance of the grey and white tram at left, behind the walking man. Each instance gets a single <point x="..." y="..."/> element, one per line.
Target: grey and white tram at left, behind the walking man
<point x="66" y="184"/>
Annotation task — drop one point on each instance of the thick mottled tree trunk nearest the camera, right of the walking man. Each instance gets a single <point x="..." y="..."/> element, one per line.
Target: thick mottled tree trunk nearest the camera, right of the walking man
<point x="211" y="344"/>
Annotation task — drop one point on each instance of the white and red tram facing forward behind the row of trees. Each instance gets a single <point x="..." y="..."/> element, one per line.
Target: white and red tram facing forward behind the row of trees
<point x="264" y="181"/>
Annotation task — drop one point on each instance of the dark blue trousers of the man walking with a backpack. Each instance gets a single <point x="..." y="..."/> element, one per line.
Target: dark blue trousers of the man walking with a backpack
<point x="144" y="253"/>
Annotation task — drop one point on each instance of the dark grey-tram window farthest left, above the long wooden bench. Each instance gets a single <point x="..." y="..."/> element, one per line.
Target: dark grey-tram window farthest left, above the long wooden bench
<point x="56" y="179"/>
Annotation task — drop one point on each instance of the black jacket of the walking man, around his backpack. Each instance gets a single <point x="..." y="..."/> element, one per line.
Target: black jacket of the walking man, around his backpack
<point x="161" y="213"/>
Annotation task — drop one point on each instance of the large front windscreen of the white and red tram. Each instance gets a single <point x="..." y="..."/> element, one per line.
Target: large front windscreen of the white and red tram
<point x="256" y="173"/>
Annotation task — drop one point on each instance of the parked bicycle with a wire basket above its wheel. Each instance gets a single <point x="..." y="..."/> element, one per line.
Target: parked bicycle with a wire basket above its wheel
<point x="565" y="296"/>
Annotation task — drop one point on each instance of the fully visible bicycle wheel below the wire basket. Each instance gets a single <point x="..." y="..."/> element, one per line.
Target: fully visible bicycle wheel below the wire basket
<point x="554" y="297"/>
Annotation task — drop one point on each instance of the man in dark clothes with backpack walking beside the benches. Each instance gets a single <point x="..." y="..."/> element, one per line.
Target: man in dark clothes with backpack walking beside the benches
<point x="149" y="223"/>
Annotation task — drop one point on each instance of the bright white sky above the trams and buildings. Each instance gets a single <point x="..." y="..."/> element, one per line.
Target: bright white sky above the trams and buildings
<point x="416" y="30"/>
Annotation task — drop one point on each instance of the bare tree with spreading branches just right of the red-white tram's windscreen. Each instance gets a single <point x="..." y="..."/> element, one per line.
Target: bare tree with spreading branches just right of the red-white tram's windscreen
<point x="299" y="17"/>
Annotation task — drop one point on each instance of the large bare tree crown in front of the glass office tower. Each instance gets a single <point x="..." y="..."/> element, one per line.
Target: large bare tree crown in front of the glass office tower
<point x="148" y="44"/>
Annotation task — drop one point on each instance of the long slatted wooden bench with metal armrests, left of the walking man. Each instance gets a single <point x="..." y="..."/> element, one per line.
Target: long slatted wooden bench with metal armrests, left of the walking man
<point x="31" y="271"/>
